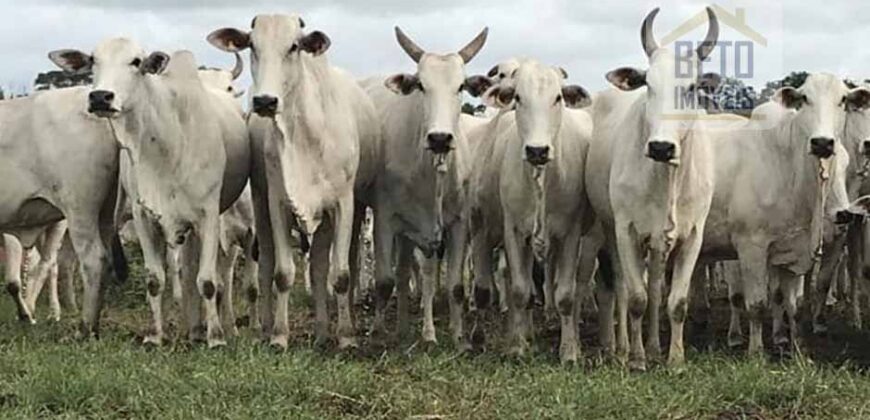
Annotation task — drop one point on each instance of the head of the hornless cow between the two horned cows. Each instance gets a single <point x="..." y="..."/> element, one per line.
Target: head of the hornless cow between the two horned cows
<point x="539" y="97"/>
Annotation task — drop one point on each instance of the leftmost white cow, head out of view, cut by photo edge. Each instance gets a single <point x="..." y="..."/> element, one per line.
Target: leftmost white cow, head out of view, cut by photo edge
<point x="59" y="162"/>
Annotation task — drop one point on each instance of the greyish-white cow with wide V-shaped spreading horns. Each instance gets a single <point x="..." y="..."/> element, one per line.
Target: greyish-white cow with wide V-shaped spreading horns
<point x="421" y="188"/>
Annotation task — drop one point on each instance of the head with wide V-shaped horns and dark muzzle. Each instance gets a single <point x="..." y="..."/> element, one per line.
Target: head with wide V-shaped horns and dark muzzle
<point x="440" y="81"/>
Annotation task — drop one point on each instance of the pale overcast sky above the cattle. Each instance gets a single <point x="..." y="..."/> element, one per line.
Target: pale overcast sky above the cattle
<point x="586" y="38"/>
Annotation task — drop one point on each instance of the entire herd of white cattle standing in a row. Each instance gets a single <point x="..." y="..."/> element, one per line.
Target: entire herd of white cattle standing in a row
<point x="555" y="182"/>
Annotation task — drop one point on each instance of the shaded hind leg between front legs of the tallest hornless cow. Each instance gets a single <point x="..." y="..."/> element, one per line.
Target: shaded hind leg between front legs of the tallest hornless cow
<point x="318" y="265"/>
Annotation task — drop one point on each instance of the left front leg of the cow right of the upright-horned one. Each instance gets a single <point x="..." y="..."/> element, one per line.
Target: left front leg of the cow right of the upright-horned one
<point x="753" y="269"/>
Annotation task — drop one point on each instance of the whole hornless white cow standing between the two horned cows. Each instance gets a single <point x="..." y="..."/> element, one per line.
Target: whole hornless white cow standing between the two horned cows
<point x="532" y="182"/>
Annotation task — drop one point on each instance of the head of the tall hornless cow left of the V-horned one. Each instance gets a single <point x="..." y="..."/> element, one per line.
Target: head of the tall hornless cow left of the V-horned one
<point x="278" y="43"/>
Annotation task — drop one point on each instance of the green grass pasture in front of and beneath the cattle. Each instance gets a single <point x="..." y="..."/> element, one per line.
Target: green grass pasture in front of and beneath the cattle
<point x="45" y="373"/>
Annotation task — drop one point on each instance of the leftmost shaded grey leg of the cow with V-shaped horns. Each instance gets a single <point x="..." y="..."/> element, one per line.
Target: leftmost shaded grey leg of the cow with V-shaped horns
<point x="385" y="280"/>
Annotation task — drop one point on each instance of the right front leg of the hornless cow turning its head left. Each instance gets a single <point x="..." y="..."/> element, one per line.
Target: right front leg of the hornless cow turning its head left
<point x="207" y="277"/>
